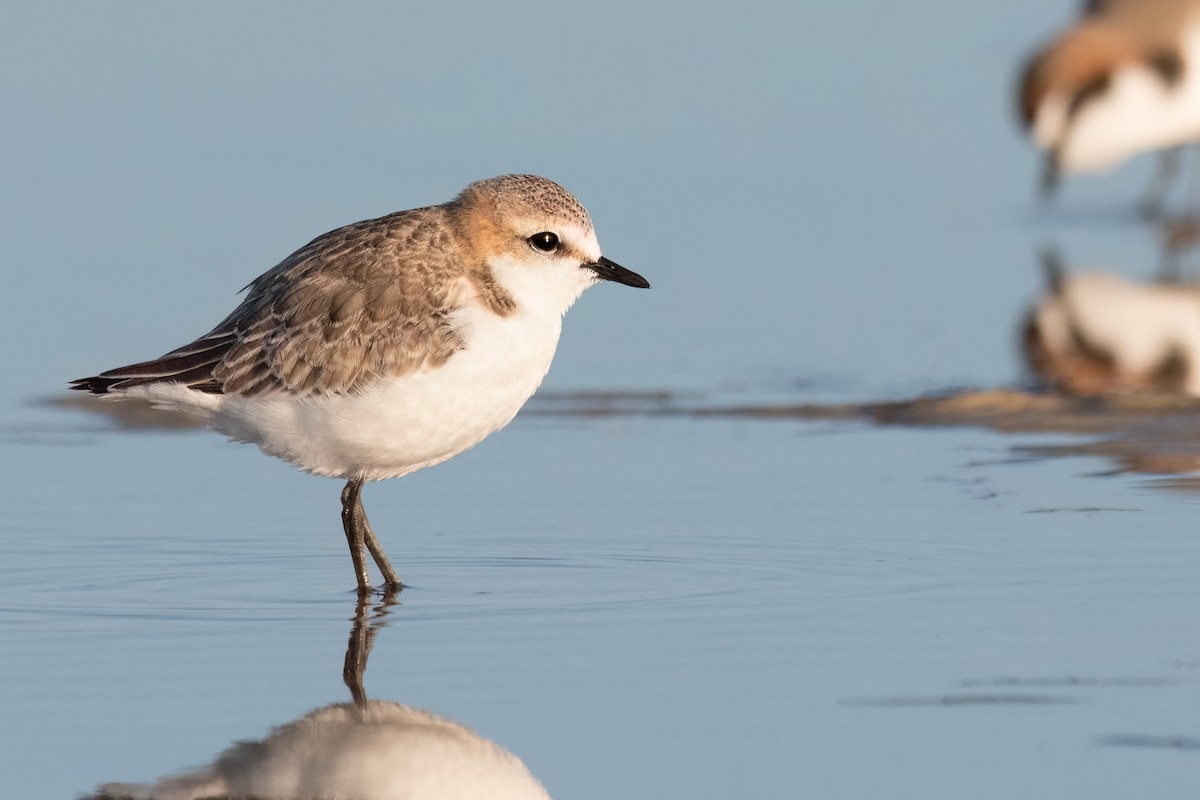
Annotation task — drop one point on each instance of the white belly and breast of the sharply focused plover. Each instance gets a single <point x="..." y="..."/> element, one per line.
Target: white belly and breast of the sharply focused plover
<point x="399" y="425"/>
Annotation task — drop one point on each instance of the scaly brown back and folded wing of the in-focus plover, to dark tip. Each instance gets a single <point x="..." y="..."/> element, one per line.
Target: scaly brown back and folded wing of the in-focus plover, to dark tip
<point x="362" y="303"/>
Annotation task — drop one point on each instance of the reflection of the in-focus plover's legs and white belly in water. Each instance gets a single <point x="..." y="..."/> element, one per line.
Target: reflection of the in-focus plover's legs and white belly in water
<point x="368" y="750"/>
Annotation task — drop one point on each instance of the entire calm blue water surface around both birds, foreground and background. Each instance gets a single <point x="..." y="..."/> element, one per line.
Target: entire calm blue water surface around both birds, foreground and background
<point x="641" y="604"/>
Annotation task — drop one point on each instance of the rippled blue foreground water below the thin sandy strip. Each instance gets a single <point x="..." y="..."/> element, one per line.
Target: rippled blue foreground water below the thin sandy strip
<point x="746" y="607"/>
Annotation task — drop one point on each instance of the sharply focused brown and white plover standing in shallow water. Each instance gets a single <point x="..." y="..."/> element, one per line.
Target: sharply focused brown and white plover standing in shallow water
<point x="391" y="345"/>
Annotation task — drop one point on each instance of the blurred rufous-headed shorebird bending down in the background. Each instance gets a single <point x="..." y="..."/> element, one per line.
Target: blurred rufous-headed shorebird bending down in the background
<point x="1123" y="81"/>
